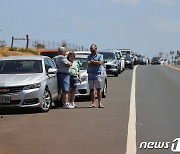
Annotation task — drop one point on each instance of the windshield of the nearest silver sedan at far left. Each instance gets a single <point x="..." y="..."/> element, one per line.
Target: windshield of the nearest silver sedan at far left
<point x="20" y="66"/>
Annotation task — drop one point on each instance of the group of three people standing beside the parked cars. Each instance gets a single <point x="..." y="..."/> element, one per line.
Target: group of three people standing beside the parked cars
<point x="69" y="75"/>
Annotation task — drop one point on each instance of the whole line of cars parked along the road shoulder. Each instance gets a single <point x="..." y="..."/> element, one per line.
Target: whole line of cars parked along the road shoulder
<point x="31" y="81"/>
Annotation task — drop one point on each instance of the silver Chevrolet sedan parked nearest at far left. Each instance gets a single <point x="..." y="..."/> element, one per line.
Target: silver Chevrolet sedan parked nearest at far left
<point x="28" y="81"/>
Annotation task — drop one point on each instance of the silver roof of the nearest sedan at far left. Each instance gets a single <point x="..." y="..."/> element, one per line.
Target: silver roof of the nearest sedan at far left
<point x="24" y="57"/>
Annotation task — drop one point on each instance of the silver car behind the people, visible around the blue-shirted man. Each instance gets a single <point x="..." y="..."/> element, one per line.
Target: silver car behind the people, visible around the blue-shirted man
<point x="83" y="87"/>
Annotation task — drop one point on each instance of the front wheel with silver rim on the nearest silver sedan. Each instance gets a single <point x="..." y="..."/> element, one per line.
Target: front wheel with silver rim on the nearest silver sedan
<point x="47" y="101"/>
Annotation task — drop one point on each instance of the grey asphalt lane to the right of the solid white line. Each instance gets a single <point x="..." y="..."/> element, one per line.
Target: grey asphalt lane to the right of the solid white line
<point x="157" y="106"/>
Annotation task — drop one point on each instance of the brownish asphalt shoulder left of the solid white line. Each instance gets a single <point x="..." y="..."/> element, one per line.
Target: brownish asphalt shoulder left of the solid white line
<point x="76" y="131"/>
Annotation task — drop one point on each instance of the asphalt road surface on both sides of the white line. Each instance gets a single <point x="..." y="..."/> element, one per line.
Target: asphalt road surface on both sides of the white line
<point x="100" y="131"/>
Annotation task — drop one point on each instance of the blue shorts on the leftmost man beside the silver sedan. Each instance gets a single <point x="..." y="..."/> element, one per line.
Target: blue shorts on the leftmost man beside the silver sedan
<point x="63" y="81"/>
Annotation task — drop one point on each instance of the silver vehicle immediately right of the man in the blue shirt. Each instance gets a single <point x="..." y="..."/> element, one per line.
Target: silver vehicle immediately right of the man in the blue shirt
<point x="112" y="62"/>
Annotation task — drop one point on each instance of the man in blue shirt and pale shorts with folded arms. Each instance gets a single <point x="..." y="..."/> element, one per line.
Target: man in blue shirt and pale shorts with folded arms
<point x="95" y="62"/>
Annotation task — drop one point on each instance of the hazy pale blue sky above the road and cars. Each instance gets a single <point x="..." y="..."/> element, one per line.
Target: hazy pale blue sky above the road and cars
<point x="145" y="26"/>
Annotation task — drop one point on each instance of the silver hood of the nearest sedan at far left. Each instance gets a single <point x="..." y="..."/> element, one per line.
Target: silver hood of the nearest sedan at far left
<point x="20" y="79"/>
